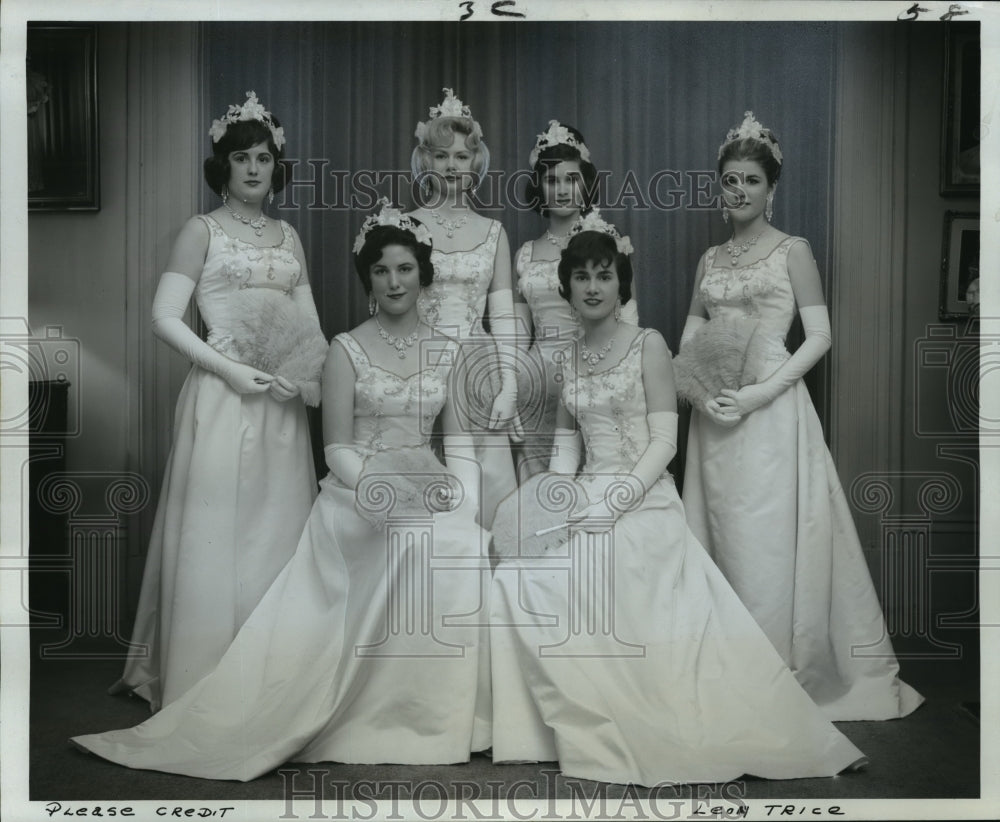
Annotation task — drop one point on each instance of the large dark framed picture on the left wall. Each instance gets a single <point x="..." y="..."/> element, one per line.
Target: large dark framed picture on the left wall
<point x="62" y="117"/>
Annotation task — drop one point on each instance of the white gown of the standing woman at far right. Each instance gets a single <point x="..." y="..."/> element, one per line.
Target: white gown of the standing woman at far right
<point x="765" y="500"/>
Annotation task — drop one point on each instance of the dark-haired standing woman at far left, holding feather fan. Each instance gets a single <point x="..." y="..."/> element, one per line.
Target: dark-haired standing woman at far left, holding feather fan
<point x="240" y="477"/>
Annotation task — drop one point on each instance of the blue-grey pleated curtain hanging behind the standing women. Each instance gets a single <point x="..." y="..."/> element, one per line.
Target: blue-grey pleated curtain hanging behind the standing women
<point x="649" y="98"/>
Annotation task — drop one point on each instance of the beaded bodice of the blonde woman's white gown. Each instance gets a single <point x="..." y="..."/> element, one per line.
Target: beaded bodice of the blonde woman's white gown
<point x="456" y="300"/>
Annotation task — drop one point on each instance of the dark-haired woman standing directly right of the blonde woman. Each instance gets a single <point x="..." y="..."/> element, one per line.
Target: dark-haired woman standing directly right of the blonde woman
<point x="563" y="184"/>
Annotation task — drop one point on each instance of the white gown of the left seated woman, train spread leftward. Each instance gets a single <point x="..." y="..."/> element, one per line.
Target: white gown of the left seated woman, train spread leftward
<point x="324" y="669"/>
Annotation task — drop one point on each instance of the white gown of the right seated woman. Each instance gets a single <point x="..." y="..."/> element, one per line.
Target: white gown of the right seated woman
<point x="626" y="655"/>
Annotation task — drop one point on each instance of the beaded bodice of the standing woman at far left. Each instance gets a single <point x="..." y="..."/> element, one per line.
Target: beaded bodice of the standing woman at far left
<point x="231" y="265"/>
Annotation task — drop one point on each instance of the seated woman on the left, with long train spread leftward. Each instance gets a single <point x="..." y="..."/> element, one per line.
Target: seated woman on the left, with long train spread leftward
<point x="322" y="670"/>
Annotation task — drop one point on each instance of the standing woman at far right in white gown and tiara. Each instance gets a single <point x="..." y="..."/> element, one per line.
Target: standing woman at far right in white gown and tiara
<point x="760" y="488"/>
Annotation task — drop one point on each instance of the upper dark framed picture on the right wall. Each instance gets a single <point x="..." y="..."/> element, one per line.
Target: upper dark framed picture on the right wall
<point x="960" y="124"/>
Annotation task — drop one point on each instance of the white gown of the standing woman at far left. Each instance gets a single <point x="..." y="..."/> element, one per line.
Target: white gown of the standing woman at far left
<point x="238" y="485"/>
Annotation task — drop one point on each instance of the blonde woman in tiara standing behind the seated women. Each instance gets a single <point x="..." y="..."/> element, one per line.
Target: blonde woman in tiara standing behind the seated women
<point x="472" y="278"/>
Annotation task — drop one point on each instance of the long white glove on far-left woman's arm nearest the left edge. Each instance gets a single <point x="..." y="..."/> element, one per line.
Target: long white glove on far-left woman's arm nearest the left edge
<point x="169" y="304"/>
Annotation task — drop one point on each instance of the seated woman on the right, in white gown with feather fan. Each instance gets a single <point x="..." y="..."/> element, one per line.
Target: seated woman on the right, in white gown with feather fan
<point x="622" y="652"/>
